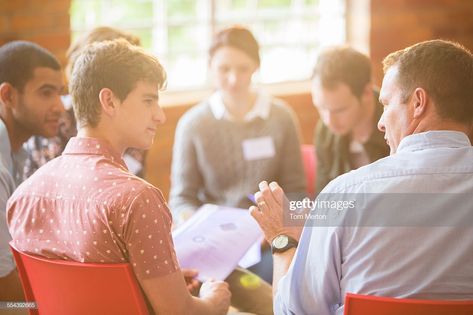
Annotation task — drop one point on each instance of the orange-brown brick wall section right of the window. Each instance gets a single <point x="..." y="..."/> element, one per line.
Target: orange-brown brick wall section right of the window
<point x="396" y="24"/>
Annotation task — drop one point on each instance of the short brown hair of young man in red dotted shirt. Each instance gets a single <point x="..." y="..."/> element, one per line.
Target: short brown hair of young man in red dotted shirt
<point x="116" y="65"/>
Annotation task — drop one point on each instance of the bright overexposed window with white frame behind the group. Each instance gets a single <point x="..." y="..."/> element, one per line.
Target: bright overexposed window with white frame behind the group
<point x="290" y="32"/>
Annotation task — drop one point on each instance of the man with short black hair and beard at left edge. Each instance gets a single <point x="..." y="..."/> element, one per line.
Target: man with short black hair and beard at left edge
<point x="31" y="83"/>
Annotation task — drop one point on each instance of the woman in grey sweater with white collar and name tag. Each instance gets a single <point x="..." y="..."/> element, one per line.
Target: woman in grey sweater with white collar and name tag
<point x="236" y="138"/>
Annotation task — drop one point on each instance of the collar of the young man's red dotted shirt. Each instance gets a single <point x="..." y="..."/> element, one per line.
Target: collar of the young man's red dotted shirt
<point x="93" y="146"/>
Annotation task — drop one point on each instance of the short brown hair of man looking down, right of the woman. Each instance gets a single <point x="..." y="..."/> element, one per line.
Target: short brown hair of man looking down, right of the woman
<point x="343" y="64"/>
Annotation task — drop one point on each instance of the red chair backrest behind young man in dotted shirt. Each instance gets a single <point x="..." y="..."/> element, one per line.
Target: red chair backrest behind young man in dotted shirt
<point x="63" y="287"/>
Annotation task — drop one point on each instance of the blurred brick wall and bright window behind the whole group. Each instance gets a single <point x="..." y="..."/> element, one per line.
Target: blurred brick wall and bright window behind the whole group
<point x="290" y="32"/>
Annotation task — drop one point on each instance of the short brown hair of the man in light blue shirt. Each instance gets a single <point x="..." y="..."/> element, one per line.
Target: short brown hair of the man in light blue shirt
<point x="444" y="69"/>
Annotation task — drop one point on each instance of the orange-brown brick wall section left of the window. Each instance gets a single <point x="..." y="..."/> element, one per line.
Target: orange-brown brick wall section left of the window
<point x="45" y="22"/>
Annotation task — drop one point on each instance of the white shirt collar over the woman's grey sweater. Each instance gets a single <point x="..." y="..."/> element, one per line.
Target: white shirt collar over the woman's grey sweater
<point x="260" y="109"/>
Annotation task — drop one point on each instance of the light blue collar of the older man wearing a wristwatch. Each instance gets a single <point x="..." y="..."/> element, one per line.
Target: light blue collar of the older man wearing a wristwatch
<point x="433" y="139"/>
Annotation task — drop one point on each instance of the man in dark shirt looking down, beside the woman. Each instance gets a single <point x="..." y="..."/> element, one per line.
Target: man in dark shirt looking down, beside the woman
<point x="346" y="136"/>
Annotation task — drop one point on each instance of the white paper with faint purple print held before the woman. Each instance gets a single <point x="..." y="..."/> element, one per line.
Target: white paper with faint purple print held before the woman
<point x="214" y="240"/>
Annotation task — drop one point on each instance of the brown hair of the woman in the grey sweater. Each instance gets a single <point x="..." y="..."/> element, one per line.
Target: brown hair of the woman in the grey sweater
<point x="237" y="37"/>
